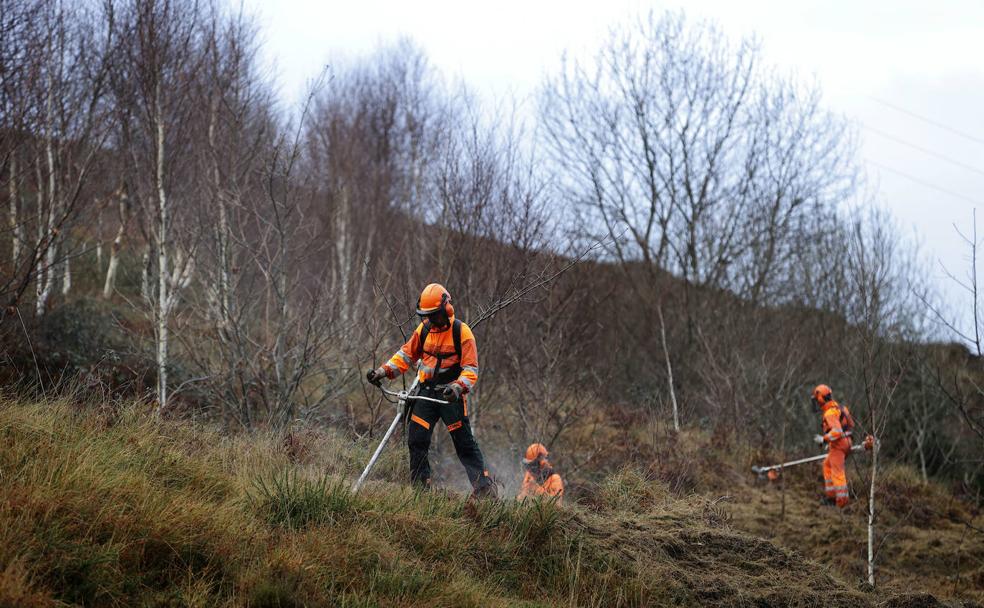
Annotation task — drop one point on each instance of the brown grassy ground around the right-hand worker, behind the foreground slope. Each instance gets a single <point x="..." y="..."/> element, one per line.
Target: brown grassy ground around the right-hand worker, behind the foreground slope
<point x="928" y="541"/>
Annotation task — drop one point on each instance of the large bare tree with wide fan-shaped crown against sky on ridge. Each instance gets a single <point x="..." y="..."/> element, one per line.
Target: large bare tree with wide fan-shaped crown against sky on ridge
<point x="676" y="147"/>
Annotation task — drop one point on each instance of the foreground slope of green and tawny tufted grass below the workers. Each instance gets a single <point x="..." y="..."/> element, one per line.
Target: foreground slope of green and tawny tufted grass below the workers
<point x="107" y="507"/>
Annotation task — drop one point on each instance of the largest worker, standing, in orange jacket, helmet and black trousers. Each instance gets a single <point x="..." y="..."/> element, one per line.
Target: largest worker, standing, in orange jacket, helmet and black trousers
<point x="448" y="369"/>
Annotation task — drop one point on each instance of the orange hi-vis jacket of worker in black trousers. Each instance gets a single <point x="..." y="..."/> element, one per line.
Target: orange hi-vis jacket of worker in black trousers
<point x="440" y="343"/>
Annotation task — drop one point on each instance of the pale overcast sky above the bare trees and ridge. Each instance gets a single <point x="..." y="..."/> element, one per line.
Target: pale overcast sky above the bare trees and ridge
<point x="909" y="73"/>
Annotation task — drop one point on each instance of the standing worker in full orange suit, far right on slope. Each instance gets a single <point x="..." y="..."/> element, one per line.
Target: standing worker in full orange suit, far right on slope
<point x="837" y="428"/>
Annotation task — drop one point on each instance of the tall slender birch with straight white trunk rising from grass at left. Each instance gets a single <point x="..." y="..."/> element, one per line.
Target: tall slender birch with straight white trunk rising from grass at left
<point x="161" y="58"/>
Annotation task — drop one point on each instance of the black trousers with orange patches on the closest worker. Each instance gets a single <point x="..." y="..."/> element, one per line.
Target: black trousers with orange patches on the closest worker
<point x="424" y="415"/>
